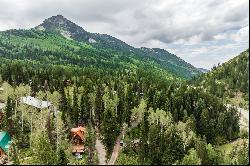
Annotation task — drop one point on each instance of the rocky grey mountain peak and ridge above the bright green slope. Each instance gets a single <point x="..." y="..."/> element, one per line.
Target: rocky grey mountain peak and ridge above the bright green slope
<point x="61" y="25"/>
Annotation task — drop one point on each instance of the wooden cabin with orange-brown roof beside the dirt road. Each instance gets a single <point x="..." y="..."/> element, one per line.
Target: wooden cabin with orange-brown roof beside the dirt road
<point x="78" y="140"/>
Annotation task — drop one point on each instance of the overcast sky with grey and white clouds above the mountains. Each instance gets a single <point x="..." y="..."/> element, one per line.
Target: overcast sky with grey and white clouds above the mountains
<point x="202" y="32"/>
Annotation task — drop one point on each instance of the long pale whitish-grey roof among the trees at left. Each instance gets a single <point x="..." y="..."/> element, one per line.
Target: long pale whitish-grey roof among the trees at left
<point x="35" y="102"/>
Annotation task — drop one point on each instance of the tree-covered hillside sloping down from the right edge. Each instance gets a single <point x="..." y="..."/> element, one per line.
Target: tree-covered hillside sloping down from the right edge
<point x="229" y="81"/>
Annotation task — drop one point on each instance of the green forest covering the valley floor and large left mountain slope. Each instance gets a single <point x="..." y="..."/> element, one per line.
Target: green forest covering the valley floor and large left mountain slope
<point x="114" y="94"/>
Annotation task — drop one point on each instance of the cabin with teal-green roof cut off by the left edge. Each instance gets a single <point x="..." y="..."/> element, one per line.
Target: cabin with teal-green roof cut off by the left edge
<point x="5" y="143"/>
